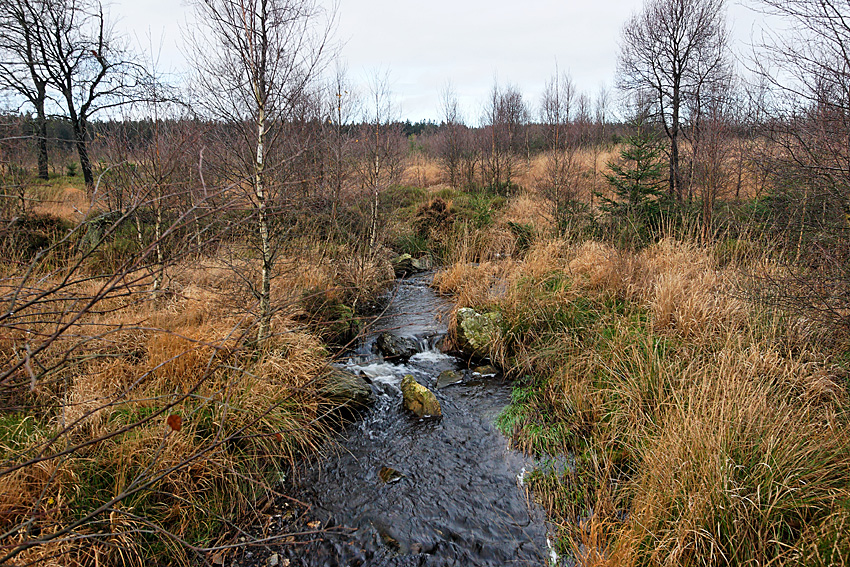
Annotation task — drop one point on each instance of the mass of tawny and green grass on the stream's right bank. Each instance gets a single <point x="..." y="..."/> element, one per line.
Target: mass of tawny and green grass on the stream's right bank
<point x="698" y="431"/>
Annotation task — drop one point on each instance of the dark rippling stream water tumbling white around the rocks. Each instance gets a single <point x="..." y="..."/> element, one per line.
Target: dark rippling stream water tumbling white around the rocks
<point x="404" y="491"/>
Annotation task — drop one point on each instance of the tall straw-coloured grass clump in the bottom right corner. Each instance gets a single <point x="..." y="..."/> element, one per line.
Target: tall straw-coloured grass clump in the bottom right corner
<point x="751" y="464"/>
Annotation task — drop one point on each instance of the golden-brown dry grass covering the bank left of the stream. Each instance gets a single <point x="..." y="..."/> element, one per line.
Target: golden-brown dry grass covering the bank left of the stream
<point x="247" y="414"/>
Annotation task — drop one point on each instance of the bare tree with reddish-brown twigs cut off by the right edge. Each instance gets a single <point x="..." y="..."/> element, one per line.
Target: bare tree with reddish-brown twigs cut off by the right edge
<point x="807" y="117"/>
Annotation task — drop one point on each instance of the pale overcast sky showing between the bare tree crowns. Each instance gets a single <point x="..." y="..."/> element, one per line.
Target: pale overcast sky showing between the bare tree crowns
<point x="424" y="44"/>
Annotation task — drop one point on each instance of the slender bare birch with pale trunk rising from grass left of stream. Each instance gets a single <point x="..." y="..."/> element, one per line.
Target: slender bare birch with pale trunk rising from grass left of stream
<point x="255" y="58"/>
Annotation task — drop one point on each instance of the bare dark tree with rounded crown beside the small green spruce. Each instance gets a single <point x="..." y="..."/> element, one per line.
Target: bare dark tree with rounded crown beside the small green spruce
<point x="672" y="50"/>
